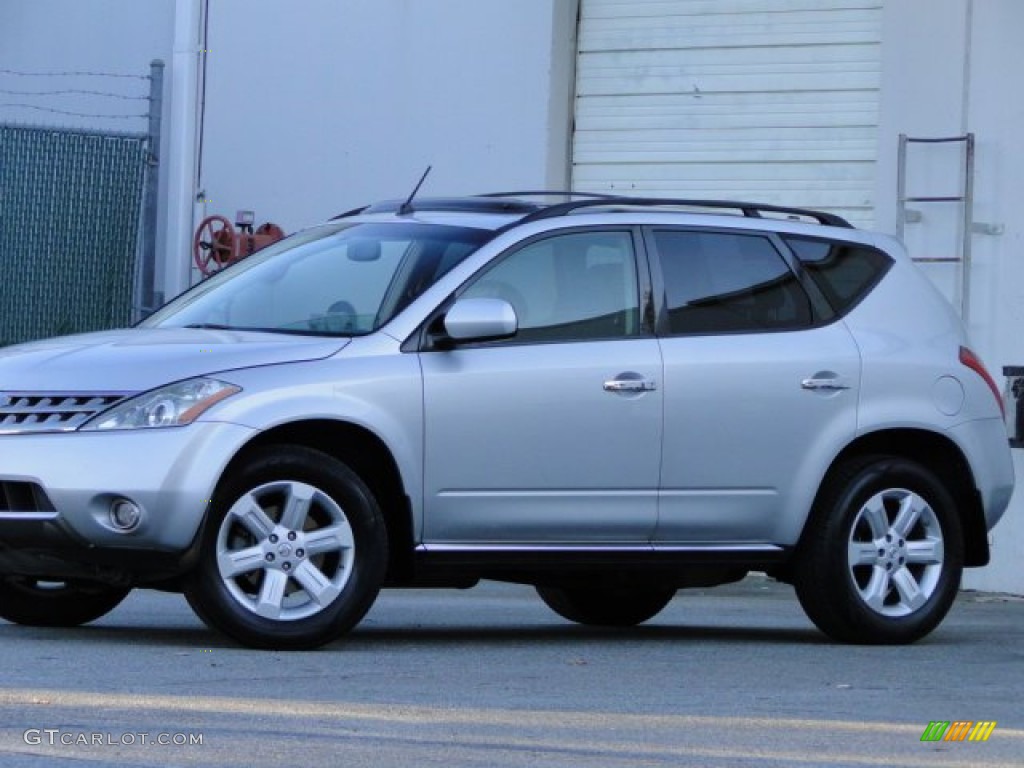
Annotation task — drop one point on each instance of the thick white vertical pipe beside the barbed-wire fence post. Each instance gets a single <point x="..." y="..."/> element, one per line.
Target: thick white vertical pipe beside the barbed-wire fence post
<point x="184" y="132"/>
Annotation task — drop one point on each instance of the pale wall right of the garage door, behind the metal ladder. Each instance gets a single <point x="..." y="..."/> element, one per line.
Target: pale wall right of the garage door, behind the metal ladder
<point x="949" y="68"/>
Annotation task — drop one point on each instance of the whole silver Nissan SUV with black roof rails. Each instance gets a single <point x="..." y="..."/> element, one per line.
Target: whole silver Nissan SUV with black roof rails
<point x="609" y="399"/>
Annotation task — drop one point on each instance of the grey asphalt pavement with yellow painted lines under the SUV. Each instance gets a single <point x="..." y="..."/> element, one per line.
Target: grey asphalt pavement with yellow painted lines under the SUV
<point x="735" y="676"/>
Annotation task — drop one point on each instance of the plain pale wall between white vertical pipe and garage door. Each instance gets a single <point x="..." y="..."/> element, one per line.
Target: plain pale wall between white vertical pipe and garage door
<point x="317" y="108"/>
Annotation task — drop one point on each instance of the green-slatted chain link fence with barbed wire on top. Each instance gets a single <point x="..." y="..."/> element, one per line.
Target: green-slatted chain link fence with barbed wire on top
<point x="71" y="226"/>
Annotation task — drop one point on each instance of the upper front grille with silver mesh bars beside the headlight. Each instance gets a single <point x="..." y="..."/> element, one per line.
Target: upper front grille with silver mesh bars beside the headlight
<point x="34" y="412"/>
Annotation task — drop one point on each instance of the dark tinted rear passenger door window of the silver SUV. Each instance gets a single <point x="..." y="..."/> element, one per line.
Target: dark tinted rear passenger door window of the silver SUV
<point x="729" y="283"/>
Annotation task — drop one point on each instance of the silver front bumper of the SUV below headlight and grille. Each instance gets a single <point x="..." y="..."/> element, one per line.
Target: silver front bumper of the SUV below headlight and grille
<point x="169" y="474"/>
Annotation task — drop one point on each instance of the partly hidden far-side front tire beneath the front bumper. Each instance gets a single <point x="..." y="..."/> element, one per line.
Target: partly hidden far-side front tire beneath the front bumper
<point x="37" y="603"/>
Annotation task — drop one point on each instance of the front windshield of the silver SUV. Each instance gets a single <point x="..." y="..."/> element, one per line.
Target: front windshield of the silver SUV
<point x="337" y="280"/>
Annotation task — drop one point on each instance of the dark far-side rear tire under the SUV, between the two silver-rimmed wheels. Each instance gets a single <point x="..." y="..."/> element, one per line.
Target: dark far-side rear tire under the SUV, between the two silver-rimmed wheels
<point x="620" y="607"/>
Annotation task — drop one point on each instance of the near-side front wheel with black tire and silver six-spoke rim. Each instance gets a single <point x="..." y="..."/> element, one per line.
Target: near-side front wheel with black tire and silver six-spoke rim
<point x="293" y="554"/>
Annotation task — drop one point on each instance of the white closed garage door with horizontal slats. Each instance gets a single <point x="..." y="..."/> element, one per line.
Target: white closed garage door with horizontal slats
<point x="773" y="101"/>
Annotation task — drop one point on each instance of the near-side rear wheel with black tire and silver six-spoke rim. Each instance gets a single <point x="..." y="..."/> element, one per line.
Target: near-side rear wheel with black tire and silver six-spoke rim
<point x="883" y="554"/>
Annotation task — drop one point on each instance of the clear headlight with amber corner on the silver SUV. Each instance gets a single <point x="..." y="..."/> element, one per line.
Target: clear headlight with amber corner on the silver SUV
<point x="174" y="406"/>
